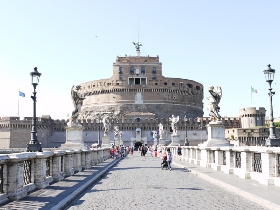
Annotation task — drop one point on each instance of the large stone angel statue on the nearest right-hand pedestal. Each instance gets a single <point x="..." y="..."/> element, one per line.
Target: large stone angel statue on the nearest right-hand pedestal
<point x="213" y="105"/>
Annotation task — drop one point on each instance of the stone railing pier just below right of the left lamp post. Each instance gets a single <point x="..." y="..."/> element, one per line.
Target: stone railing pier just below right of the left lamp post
<point x="40" y="169"/>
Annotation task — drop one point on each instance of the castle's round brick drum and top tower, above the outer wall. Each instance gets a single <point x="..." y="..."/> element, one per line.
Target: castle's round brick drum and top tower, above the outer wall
<point x="138" y="86"/>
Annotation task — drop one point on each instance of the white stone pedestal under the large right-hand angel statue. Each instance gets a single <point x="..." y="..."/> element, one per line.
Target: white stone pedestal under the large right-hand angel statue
<point x="216" y="135"/>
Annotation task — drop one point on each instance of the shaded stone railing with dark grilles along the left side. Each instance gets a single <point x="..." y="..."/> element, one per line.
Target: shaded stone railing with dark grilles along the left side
<point x="23" y="172"/>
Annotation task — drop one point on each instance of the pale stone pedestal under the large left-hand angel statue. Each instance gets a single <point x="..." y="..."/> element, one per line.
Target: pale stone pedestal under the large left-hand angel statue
<point x="74" y="137"/>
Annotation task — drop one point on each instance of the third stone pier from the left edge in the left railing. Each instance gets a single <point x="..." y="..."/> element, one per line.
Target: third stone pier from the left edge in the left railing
<point x="57" y="167"/>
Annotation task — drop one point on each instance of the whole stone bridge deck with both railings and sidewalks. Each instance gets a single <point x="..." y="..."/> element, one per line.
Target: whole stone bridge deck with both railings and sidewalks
<point x="204" y="178"/>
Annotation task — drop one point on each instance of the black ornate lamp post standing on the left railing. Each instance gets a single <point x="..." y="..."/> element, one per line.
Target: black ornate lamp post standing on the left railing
<point x="34" y="145"/>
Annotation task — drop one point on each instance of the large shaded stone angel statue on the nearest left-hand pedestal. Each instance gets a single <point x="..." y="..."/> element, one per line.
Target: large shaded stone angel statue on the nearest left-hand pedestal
<point x="77" y="100"/>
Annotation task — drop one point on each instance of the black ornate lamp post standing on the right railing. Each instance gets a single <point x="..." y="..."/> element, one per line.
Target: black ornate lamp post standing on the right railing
<point x="272" y="139"/>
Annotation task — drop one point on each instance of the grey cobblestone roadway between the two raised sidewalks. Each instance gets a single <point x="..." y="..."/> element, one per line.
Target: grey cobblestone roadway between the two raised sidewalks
<point x="137" y="183"/>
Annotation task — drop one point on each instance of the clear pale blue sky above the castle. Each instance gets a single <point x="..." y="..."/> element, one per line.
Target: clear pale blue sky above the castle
<point x="225" y="43"/>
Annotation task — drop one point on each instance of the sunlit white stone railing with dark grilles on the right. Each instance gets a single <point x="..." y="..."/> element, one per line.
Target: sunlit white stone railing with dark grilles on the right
<point x="258" y="163"/>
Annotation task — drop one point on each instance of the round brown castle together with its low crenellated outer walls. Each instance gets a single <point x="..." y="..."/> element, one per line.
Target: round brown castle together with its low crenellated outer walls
<point x="137" y="97"/>
